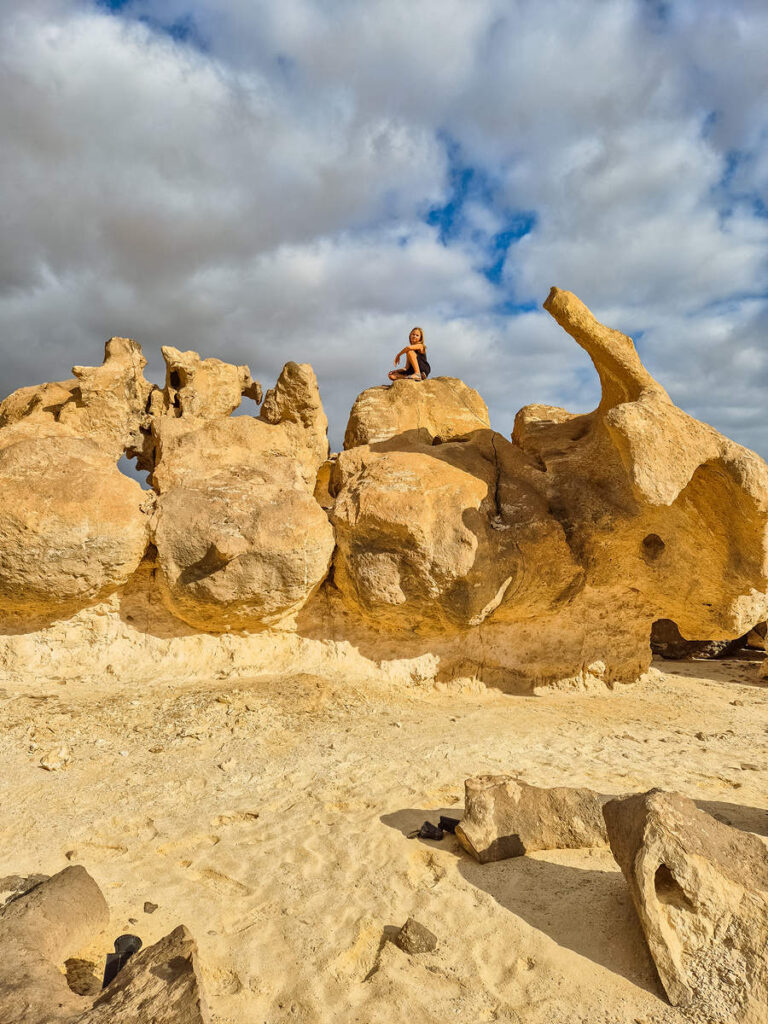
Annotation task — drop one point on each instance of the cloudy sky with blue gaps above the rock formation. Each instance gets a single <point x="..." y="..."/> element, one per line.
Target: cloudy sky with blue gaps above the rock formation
<point x="265" y="181"/>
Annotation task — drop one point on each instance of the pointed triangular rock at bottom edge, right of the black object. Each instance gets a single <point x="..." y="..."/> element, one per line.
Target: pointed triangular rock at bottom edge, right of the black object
<point x="159" y="985"/>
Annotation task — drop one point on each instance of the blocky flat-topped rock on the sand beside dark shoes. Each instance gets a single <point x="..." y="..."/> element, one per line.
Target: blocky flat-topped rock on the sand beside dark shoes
<point x="504" y="818"/>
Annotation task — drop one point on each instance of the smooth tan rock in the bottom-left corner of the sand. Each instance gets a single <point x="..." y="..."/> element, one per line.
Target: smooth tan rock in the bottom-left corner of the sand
<point x="39" y="931"/>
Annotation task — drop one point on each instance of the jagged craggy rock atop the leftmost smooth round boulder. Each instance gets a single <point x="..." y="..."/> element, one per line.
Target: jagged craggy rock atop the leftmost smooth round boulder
<point x="106" y="404"/>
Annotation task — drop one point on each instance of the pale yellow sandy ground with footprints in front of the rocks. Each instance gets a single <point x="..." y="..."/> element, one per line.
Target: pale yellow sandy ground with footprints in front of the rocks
<point x="271" y="819"/>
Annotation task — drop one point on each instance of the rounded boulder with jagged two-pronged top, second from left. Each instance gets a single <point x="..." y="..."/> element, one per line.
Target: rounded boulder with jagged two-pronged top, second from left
<point x="242" y="542"/>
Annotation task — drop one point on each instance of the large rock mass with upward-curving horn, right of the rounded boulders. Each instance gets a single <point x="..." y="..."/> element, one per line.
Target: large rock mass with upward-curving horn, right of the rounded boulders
<point x="590" y="527"/>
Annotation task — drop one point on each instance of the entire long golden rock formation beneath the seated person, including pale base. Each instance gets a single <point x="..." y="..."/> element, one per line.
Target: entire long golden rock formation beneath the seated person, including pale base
<point x="433" y="547"/>
